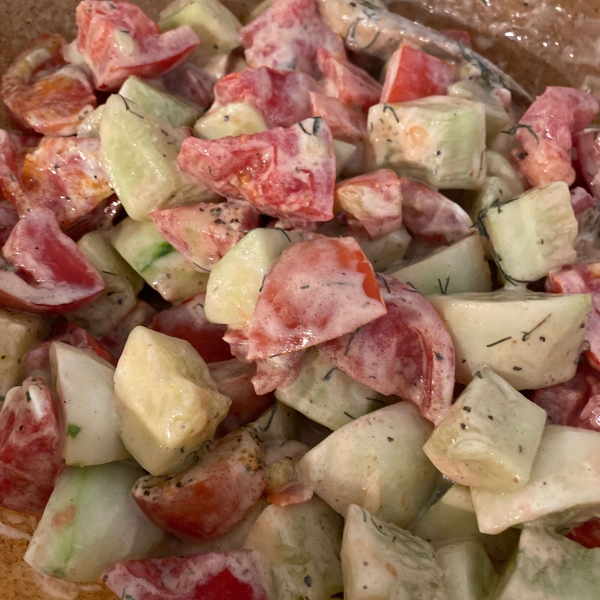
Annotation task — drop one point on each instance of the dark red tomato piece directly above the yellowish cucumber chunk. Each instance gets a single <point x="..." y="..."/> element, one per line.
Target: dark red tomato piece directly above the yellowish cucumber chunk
<point x="187" y="321"/>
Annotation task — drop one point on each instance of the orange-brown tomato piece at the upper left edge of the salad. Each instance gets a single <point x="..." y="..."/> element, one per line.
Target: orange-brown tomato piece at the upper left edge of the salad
<point x="45" y="94"/>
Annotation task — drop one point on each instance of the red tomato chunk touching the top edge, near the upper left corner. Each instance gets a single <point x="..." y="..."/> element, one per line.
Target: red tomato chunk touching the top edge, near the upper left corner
<point x="116" y="40"/>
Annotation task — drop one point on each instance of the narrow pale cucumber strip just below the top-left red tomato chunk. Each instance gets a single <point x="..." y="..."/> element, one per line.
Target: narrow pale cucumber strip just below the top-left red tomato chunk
<point x="162" y="105"/>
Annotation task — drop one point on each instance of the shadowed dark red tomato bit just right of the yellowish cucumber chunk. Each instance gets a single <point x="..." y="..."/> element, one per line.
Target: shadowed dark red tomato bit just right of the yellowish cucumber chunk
<point x="234" y="380"/>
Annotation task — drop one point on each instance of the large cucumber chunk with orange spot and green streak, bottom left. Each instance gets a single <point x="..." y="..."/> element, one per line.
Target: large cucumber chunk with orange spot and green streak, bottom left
<point x="90" y="523"/>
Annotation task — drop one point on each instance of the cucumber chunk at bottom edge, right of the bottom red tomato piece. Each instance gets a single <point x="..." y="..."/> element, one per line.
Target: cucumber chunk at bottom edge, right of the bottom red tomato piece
<point x="299" y="546"/>
